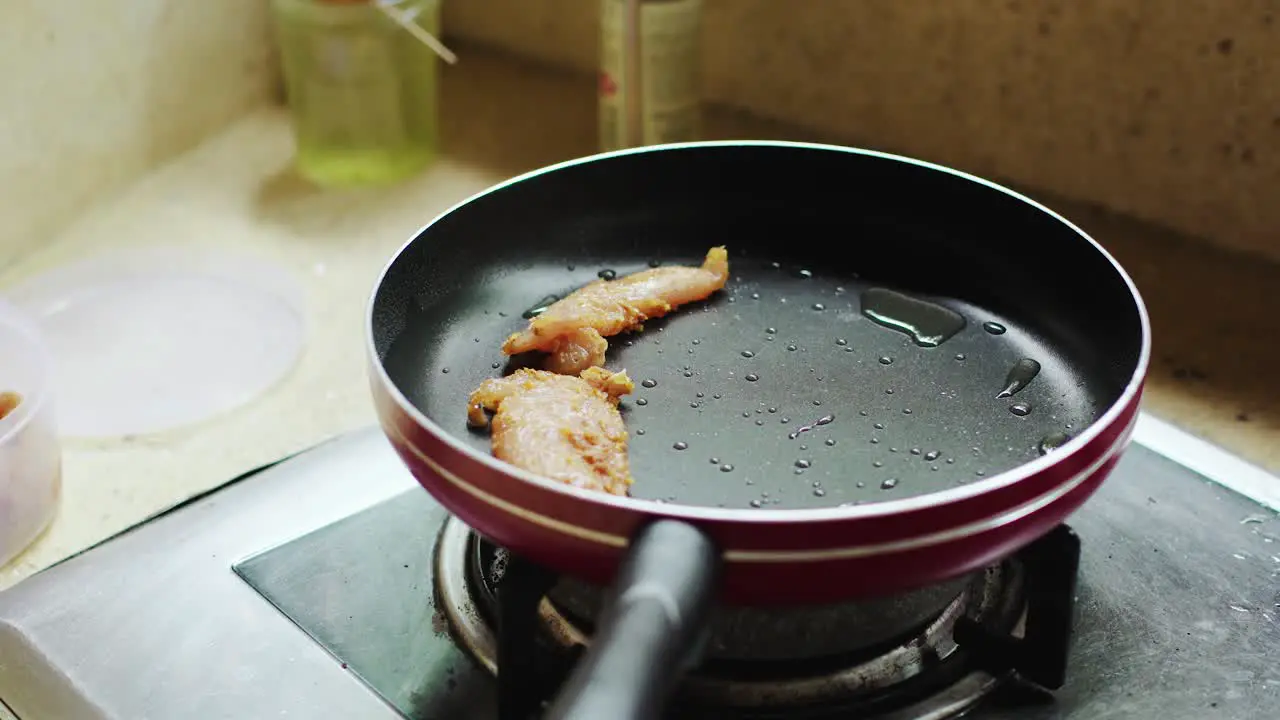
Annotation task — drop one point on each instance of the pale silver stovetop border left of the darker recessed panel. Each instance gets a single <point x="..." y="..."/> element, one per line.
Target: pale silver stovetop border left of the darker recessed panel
<point x="154" y="625"/>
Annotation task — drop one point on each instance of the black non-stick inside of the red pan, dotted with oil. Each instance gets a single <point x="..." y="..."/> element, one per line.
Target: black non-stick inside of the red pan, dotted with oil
<point x="780" y="391"/>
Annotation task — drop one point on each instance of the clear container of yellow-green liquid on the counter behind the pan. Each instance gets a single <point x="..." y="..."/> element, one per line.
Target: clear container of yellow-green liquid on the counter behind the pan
<point x="363" y="90"/>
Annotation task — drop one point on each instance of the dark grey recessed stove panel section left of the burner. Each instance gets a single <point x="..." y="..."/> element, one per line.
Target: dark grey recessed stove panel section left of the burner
<point x="363" y="590"/>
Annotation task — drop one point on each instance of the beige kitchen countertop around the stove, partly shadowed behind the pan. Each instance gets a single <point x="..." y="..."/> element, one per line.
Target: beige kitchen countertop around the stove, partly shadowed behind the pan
<point x="236" y="192"/>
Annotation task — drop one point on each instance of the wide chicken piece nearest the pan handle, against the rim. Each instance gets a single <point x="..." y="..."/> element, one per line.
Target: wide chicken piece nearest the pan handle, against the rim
<point x="561" y="427"/>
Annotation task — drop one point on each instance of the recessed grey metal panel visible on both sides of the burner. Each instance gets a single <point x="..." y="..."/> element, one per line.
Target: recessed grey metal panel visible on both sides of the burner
<point x="1176" y="603"/>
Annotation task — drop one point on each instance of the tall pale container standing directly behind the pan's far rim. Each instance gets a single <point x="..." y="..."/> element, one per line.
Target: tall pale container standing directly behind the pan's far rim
<point x="650" y="86"/>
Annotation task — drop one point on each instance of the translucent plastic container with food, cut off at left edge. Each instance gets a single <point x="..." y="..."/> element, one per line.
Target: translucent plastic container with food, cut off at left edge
<point x="30" y="453"/>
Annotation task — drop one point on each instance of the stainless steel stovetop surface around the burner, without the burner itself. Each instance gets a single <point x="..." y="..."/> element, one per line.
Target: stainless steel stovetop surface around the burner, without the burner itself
<point x="310" y="590"/>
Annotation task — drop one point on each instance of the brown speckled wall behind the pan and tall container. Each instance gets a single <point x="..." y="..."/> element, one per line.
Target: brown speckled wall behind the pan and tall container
<point x="1164" y="110"/>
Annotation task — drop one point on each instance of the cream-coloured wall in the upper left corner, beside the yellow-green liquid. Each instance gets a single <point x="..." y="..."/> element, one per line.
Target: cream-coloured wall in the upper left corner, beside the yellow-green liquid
<point x="98" y="93"/>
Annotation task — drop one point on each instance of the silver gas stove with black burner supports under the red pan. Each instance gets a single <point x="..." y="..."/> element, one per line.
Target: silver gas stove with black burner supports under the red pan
<point x="332" y="585"/>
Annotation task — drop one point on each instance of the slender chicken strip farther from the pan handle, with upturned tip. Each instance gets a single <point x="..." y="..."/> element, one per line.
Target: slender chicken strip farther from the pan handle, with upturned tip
<point x="573" y="330"/>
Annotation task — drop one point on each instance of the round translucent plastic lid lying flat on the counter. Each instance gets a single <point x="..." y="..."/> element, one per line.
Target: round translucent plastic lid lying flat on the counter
<point x="149" y="340"/>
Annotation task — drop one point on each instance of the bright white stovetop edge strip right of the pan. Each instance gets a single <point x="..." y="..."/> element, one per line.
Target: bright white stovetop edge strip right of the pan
<point x="1209" y="461"/>
